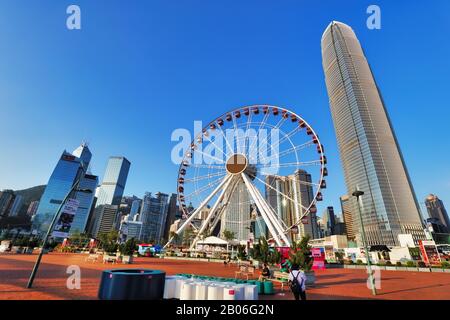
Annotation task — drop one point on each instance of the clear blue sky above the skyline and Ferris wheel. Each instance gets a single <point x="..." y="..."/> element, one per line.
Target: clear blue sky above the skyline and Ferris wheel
<point x="140" y="69"/>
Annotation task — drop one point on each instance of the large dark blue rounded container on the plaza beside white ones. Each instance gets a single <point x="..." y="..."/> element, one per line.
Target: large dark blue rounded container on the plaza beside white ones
<point x="132" y="284"/>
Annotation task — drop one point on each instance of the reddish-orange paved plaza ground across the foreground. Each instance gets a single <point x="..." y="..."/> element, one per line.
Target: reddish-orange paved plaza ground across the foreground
<point x="331" y="284"/>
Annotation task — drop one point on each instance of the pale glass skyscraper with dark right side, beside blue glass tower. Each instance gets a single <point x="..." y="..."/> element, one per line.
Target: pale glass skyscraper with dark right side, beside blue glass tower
<point x="111" y="190"/>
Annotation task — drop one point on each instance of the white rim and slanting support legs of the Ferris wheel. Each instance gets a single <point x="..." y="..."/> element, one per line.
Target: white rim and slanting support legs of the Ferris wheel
<point x="228" y="183"/>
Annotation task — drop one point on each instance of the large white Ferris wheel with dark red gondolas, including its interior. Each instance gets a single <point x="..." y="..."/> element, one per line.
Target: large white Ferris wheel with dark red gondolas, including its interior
<point x="251" y="150"/>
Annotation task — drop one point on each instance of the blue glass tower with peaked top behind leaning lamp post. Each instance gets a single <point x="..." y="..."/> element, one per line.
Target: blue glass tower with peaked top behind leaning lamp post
<point x="70" y="168"/>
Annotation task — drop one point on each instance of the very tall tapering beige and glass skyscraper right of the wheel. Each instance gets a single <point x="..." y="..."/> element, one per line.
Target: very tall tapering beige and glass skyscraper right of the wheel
<point x="368" y="147"/>
